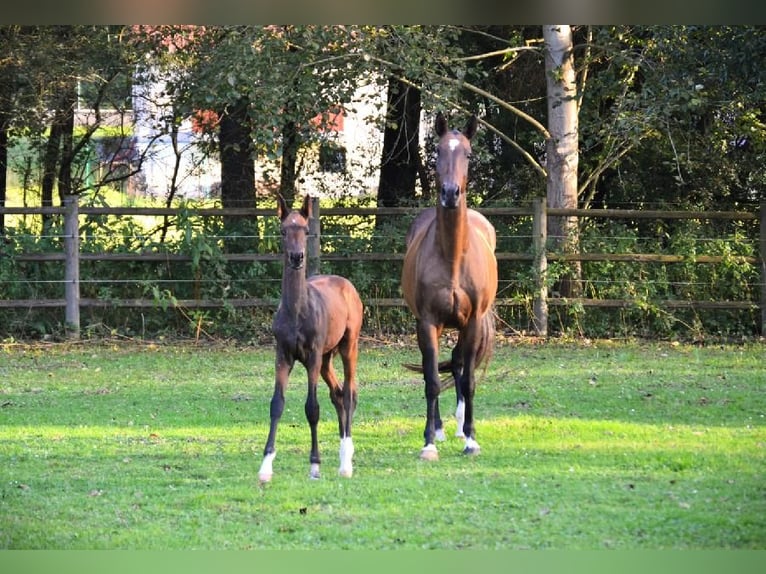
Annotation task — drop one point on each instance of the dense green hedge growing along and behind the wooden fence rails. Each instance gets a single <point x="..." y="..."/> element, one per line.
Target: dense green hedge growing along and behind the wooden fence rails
<point x="208" y="275"/>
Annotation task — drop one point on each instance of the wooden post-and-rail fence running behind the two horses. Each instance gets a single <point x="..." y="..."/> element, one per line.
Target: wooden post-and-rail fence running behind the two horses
<point x="538" y="257"/>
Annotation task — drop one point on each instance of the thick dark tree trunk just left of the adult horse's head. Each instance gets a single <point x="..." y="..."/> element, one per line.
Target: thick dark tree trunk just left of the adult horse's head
<point x="400" y="162"/>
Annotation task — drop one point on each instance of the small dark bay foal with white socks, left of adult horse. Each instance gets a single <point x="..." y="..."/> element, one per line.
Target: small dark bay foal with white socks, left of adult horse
<point x="317" y="318"/>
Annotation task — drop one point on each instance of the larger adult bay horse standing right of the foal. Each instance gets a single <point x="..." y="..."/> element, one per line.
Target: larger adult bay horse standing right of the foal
<point x="449" y="280"/>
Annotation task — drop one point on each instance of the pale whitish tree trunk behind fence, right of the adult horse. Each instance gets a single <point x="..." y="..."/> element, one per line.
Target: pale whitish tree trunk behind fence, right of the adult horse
<point x="562" y="147"/>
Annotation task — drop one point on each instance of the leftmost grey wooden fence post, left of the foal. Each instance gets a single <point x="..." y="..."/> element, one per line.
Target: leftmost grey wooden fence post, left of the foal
<point x="71" y="267"/>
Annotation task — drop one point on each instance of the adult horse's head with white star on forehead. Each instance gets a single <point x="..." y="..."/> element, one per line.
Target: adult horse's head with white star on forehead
<point x="452" y="153"/>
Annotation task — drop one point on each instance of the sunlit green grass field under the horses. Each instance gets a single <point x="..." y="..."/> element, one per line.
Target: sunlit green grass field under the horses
<point x="584" y="446"/>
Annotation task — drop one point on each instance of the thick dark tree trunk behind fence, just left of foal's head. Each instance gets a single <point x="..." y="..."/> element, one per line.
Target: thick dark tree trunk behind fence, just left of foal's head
<point x="238" y="176"/>
